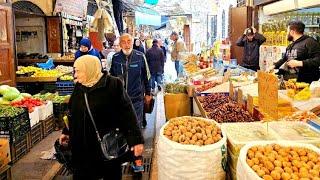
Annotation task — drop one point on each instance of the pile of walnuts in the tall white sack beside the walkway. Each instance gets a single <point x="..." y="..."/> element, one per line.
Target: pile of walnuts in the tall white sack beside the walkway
<point x="192" y="131"/>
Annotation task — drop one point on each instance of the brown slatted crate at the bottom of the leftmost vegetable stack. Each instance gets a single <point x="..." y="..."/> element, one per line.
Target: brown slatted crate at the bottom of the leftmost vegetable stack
<point x="20" y="148"/>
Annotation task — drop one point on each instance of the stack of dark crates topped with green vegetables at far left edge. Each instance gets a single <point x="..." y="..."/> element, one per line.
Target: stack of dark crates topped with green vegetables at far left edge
<point x="15" y="125"/>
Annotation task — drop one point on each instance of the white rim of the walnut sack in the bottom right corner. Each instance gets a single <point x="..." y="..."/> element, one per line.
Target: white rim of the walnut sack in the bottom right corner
<point x="244" y="172"/>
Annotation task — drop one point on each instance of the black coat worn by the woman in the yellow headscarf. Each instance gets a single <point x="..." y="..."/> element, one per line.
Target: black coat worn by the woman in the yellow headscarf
<point x="111" y="108"/>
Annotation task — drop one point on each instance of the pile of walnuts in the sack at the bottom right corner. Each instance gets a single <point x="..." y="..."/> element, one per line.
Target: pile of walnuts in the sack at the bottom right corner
<point x="277" y="162"/>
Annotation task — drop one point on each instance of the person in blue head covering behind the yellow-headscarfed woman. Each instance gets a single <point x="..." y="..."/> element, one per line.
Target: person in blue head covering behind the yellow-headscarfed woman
<point x="86" y="48"/>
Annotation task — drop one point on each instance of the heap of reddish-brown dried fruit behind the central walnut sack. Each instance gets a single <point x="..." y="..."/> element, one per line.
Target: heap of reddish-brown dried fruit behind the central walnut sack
<point x="222" y="109"/>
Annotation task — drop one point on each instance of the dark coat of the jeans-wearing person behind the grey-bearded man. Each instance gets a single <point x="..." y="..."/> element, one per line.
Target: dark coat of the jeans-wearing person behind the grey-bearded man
<point x="155" y="59"/>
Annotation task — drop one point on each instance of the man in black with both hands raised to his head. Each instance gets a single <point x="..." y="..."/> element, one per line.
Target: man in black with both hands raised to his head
<point x="251" y="40"/>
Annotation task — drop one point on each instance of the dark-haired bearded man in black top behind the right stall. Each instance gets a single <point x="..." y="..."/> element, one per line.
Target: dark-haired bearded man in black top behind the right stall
<point x="303" y="54"/>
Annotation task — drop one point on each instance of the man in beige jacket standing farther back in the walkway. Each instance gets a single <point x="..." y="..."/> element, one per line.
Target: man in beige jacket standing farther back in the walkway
<point x="177" y="48"/>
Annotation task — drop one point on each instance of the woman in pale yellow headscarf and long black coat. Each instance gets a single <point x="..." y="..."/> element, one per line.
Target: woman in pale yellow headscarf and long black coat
<point x="111" y="108"/>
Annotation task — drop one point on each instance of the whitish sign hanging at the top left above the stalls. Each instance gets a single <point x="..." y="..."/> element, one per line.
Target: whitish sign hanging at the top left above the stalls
<point x="77" y="8"/>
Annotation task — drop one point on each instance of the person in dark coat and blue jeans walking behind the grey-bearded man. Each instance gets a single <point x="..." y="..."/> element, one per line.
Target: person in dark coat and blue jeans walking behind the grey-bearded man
<point x="155" y="59"/>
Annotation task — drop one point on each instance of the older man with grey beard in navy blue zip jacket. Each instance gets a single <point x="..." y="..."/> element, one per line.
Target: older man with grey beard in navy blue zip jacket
<point x="131" y="66"/>
